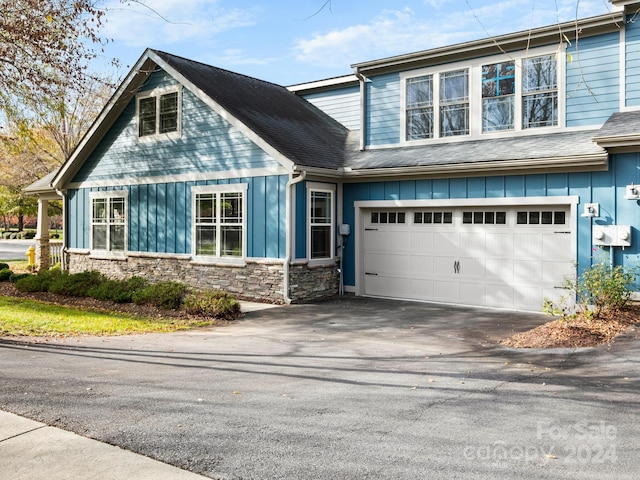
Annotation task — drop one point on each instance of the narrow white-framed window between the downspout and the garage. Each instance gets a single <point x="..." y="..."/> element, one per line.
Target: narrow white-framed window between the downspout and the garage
<point x="320" y="233"/>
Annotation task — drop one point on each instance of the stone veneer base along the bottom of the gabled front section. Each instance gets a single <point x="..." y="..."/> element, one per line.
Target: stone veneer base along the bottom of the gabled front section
<point x="260" y="280"/>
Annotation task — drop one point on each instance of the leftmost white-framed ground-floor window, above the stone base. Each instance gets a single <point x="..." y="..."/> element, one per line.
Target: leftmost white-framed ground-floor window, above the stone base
<point x="108" y="221"/>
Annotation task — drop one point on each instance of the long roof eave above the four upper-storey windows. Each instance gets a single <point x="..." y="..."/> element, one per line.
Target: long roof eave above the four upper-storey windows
<point x="495" y="45"/>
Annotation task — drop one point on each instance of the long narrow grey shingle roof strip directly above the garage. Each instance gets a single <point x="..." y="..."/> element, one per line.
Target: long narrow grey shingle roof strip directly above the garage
<point x="532" y="147"/>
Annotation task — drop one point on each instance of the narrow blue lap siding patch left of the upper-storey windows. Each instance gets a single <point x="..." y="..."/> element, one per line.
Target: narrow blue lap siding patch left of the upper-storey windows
<point x="383" y="110"/>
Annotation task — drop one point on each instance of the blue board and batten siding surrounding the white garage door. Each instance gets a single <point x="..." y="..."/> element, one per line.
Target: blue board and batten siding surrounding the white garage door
<point x="606" y="188"/>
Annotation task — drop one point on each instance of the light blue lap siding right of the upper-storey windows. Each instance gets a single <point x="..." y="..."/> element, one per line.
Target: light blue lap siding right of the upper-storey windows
<point x="593" y="80"/>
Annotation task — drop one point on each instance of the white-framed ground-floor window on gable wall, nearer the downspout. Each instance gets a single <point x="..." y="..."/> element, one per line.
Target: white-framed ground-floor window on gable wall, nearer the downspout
<point x="219" y="221"/>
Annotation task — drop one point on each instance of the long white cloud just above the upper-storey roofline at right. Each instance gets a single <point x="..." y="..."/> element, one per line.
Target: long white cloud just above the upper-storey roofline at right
<point x="395" y="32"/>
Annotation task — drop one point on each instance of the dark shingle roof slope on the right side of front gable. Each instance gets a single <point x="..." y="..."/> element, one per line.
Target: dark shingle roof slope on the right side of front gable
<point x="290" y="124"/>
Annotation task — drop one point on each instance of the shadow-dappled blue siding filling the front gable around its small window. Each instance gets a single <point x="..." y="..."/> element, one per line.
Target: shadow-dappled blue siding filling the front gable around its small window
<point x="208" y="143"/>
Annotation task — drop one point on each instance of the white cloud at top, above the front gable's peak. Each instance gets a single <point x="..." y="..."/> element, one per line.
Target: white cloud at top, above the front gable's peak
<point x="164" y="22"/>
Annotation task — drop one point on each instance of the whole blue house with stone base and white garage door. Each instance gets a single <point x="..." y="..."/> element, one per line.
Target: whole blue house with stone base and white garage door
<point x="477" y="174"/>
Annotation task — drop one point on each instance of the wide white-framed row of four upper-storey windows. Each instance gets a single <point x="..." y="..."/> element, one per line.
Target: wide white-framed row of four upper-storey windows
<point x="493" y="95"/>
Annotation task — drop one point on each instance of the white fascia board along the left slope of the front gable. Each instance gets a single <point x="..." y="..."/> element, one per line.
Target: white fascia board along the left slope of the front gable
<point x="114" y="107"/>
